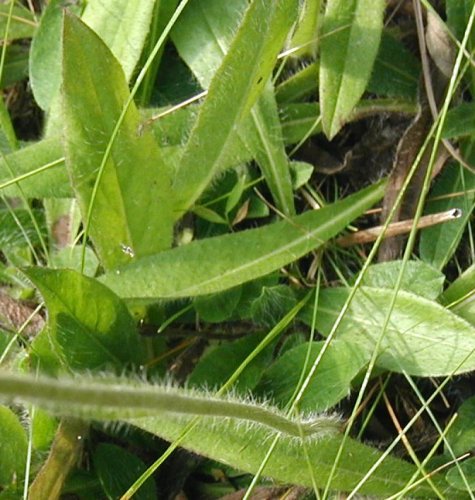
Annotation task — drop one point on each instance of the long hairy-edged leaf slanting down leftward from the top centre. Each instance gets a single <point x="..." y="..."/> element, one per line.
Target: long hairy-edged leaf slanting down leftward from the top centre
<point x="236" y="86"/>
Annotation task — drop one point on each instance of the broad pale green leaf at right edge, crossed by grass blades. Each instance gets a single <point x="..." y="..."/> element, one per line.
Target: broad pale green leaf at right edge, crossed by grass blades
<point x="422" y="338"/>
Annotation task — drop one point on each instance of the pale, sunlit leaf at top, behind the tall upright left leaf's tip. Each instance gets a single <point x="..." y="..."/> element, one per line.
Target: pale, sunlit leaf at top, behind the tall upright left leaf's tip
<point x="123" y="25"/>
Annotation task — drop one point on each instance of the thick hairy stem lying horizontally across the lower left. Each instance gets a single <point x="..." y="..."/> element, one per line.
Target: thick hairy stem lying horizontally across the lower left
<point x="115" y="399"/>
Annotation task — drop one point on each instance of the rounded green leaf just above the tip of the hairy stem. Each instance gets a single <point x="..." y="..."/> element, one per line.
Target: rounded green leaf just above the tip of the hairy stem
<point x="332" y="380"/>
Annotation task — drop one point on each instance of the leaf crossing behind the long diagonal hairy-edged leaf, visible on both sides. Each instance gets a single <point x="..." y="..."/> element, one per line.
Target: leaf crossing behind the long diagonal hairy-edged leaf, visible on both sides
<point x="211" y="24"/>
